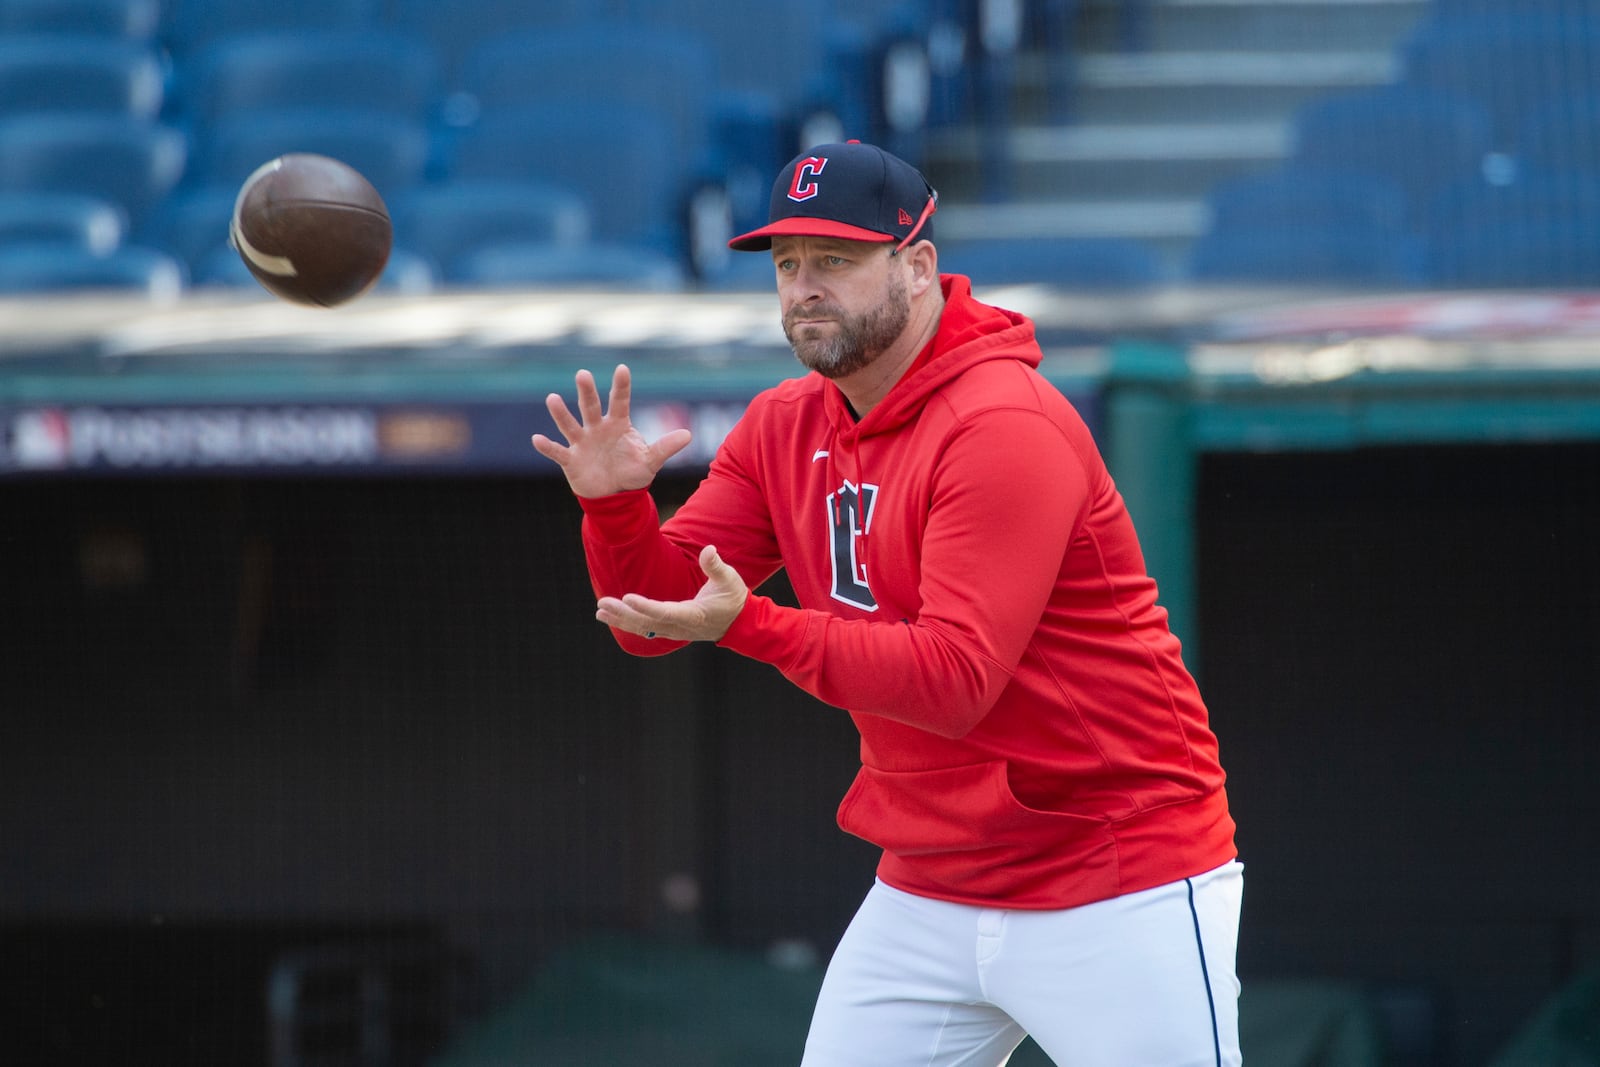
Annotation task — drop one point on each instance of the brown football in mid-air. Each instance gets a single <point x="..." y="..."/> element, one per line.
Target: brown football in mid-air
<point x="313" y="230"/>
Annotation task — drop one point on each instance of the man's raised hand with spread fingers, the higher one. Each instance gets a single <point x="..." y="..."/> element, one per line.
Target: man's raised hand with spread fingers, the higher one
<point x="604" y="452"/>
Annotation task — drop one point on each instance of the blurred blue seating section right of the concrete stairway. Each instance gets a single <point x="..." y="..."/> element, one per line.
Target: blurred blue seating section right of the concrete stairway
<point x="1486" y="145"/>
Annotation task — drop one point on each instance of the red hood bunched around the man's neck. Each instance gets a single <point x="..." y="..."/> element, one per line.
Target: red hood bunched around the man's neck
<point x="970" y="334"/>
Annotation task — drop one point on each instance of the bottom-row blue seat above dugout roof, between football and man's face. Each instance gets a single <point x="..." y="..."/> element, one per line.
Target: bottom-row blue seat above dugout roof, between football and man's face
<point x="569" y="266"/>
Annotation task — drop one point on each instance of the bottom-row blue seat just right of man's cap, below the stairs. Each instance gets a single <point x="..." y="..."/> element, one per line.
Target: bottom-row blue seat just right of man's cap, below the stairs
<point x="1071" y="263"/>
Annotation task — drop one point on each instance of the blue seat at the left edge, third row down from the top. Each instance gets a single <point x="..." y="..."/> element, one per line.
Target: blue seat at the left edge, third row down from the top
<point x="127" y="162"/>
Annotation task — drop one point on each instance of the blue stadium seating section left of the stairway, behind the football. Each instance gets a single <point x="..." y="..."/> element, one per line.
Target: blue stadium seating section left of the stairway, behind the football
<point x="554" y="140"/>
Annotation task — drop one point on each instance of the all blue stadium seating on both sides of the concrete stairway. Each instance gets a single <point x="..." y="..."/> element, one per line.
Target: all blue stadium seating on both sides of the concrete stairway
<point x="538" y="143"/>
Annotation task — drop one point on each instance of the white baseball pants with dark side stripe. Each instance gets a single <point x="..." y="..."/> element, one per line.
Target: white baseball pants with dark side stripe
<point x="1145" y="980"/>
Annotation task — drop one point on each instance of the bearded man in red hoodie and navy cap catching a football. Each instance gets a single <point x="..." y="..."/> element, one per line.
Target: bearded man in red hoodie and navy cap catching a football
<point x="1038" y="764"/>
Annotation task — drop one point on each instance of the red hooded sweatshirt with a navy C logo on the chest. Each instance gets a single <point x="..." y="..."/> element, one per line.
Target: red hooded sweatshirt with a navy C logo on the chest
<point x="974" y="594"/>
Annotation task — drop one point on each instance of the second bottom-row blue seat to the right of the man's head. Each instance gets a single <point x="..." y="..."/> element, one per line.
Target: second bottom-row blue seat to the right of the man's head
<point x="1306" y="257"/>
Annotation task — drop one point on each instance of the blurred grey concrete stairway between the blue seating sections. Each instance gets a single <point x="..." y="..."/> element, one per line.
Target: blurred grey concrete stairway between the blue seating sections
<point x="1162" y="110"/>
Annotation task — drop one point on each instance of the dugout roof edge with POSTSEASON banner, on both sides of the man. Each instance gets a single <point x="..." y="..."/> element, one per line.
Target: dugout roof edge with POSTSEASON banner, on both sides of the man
<point x="457" y="383"/>
